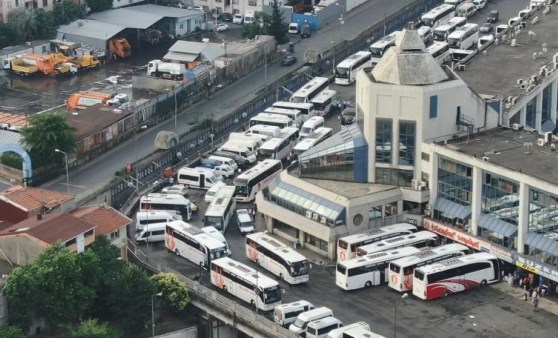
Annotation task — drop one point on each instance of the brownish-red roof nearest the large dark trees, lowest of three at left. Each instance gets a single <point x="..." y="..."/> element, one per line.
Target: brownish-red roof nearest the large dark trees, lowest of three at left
<point x="50" y="228"/>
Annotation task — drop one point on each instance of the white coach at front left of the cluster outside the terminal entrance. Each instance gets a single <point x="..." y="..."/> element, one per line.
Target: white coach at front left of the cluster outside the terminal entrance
<point x="369" y="270"/>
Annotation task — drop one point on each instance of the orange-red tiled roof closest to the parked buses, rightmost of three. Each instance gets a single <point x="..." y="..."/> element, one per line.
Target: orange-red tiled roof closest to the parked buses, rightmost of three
<point x="105" y="218"/>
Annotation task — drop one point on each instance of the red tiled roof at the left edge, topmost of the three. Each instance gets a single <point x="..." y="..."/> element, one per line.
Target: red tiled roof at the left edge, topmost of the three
<point x="28" y="198"/>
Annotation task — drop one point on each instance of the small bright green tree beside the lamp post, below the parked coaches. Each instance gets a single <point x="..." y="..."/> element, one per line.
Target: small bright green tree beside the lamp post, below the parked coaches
<point x="175" y="292"/>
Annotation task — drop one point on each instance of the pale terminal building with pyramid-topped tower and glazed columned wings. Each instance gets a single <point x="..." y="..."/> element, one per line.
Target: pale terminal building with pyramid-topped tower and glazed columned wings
<point x="428" y="150"/>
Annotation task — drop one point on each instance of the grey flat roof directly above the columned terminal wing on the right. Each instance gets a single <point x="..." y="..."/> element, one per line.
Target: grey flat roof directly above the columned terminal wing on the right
<point x="515" y="150"/>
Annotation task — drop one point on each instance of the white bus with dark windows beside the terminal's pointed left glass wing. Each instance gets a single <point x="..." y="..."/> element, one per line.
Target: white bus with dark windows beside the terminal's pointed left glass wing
<point x="255" y="179"/>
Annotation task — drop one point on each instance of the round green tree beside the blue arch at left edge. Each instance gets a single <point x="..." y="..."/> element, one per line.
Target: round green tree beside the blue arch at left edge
<point x="45" y="133"/>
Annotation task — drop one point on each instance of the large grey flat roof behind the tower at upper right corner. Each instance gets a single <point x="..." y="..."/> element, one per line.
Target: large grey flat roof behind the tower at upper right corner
<point x="497" y="72"/>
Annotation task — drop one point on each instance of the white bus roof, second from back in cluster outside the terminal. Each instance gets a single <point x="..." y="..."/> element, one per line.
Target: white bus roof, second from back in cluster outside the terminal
<point x="419" y="239"/>
